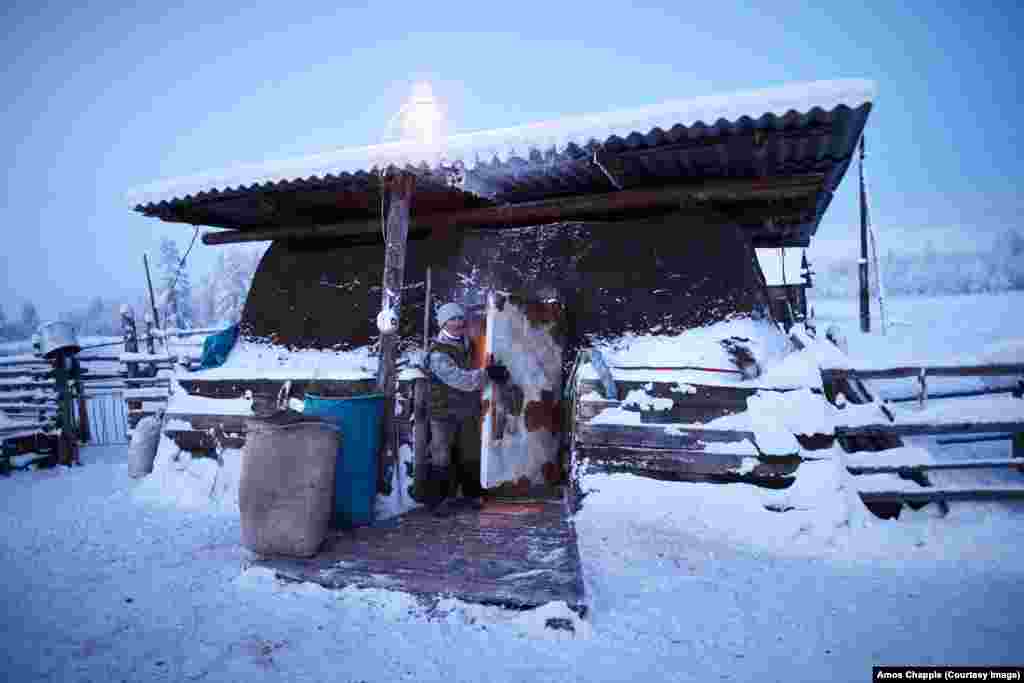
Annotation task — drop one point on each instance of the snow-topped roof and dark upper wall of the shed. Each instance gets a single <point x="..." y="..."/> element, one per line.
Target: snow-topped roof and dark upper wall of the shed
<point x="633" y="219"/>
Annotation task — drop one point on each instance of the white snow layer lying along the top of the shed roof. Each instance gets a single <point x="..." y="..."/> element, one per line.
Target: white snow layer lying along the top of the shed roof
<point x="470" y="150"/>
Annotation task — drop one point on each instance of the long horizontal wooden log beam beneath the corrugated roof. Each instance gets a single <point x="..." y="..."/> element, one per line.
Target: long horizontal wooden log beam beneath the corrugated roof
<point x="592" y="207"/>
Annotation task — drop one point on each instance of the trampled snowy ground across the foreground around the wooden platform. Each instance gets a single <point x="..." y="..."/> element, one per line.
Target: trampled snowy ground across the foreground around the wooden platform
<point x="100" y="587"/>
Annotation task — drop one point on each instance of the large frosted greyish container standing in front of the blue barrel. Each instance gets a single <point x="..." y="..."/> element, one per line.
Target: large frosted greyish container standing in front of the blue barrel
<point x="287" y="484"/>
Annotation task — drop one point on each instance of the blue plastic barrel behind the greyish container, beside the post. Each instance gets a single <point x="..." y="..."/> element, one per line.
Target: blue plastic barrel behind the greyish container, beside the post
<point x="361" y="419"/>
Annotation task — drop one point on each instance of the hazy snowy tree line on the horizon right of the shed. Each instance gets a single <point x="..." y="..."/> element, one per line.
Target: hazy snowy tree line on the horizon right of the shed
<point x="929" y="272"/>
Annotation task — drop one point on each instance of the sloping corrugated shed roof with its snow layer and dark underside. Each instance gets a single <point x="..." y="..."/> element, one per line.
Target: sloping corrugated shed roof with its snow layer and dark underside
<point x="795" y="131"/>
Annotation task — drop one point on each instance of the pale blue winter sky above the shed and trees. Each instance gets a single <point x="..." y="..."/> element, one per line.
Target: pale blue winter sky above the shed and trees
<point x="104" y="97"/>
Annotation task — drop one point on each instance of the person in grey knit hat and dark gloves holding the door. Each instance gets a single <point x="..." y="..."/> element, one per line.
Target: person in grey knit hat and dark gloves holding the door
<point x="456" y="412"/>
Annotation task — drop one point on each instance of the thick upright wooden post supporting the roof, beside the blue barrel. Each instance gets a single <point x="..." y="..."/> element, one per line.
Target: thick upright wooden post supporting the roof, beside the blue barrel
<point x="400" y="190"/>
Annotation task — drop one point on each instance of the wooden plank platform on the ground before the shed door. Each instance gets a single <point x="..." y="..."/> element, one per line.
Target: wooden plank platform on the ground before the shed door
<point x="520" y="554"/>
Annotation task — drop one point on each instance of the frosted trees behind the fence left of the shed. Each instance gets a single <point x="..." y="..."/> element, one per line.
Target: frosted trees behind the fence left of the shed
<point x="217" y="301"/>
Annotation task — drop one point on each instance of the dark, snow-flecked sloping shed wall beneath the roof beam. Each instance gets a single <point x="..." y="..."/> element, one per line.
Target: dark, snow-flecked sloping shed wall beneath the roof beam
<point x="614" y="278"/>
